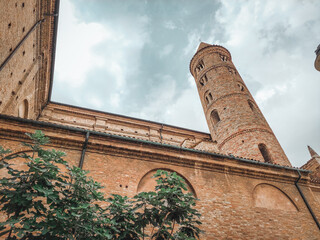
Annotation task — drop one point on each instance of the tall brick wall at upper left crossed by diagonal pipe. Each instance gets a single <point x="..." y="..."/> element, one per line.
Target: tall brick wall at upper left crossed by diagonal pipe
<point x="25" y="54"/>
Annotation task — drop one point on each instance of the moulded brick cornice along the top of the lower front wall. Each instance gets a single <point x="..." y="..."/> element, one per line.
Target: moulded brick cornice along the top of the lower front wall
<point x="70" y="137"/>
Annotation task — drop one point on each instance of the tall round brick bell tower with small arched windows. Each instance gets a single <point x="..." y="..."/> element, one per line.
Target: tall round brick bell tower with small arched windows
<point x="234" y="119"/>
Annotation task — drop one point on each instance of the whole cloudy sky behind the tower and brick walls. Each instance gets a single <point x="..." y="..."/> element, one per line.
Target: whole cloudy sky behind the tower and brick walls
<point x="132" y="58"/>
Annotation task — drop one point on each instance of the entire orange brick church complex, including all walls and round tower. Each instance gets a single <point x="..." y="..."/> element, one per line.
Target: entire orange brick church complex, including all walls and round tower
<point x="238" y="198"/>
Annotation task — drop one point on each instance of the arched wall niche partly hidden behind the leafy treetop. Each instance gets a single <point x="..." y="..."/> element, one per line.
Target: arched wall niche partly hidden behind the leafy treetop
<point x="147" y="182"/>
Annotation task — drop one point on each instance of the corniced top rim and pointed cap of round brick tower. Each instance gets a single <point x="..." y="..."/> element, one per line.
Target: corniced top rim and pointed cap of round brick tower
<point x="205" y="48"/>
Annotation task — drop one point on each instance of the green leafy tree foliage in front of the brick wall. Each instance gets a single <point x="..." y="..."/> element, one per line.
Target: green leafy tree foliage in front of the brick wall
<point x="48" y="199"/>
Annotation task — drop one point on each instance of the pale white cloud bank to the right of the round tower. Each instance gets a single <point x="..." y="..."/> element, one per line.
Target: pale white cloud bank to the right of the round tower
<point x="272" y="43"/>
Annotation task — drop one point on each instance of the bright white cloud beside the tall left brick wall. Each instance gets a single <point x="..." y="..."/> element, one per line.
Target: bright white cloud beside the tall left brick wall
<point x="85" y="46"/>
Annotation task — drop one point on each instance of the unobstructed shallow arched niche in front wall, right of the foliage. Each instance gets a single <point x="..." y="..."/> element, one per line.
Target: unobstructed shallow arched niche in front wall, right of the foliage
<point x="271" y="197"/>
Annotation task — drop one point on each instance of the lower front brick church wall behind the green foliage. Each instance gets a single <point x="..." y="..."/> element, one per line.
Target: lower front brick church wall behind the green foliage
<point x="234" y="196"/>
